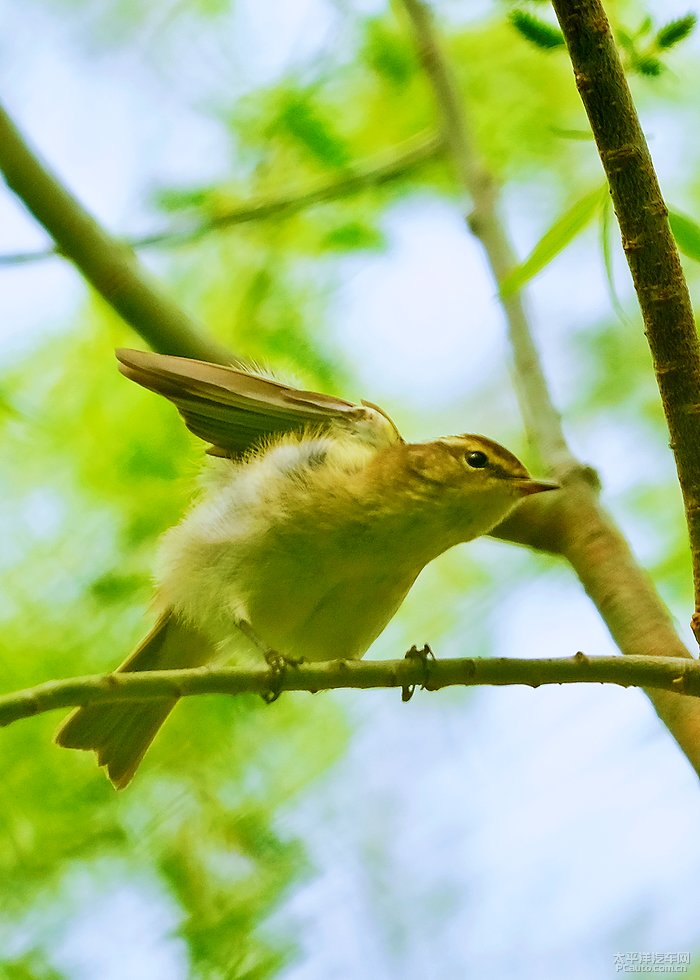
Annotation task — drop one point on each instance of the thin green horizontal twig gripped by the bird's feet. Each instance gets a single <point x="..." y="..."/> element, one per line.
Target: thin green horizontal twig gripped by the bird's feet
<point x="664" y="673"/>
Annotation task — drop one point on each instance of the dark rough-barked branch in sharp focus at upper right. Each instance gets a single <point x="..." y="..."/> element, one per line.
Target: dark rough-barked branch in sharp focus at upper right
<point x="648" y="243"/>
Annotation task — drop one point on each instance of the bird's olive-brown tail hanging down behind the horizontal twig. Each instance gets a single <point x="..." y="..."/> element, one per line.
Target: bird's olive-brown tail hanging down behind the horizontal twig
<point x="121" y="732"/>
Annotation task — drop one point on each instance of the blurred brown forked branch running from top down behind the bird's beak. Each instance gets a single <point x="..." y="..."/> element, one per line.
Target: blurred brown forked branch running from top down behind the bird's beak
<point x="574" y="524"/>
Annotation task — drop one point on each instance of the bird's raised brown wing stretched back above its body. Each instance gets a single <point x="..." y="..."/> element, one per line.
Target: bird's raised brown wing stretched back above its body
<point x="234" y="410"/>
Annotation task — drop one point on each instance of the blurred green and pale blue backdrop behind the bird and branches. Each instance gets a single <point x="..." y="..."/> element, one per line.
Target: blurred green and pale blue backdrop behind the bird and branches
<point x="484" y="833"/>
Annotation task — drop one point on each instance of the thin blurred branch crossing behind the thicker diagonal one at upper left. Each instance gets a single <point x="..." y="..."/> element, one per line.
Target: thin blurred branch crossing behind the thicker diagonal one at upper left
<point x="356" y="179"/>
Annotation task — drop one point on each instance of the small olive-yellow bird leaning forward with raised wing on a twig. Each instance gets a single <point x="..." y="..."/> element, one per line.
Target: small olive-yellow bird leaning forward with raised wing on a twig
<point x="311" y="528"/>
